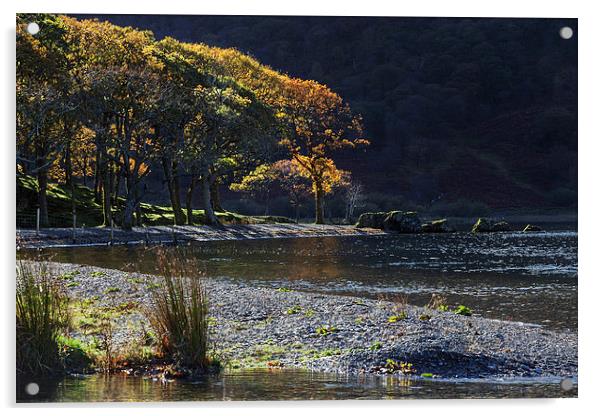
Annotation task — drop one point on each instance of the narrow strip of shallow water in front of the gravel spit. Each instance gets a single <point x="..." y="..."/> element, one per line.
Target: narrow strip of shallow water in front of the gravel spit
<point x="282" y="385"/>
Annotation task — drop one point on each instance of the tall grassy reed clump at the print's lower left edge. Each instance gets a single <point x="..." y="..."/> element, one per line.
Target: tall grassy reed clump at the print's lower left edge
<point x="41" y="317"/>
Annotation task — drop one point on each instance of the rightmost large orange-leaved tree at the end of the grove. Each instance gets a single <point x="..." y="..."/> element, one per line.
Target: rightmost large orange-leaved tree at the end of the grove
<point x="319" y="123"/>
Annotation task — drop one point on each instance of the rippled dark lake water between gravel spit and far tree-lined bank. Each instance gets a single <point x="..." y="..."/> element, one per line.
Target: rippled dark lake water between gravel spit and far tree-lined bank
<point x="530" y="277"/>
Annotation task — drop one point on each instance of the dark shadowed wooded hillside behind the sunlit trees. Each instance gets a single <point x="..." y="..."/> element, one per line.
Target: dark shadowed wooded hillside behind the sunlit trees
<point x="476" y="110"/>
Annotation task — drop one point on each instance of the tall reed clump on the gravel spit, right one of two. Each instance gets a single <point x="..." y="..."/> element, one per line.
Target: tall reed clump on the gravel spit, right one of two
<point x="178" y="312"/>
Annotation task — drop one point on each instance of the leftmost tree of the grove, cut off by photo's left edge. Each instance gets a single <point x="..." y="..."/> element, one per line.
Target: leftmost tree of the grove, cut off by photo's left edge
<point x="45" y="100"/>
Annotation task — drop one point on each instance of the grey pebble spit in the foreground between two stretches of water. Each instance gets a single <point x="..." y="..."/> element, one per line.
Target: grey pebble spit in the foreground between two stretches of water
<point x="254" y="327"/>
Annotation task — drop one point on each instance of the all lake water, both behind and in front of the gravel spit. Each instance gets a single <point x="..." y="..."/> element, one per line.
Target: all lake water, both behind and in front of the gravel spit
<point x="513" y="276"/>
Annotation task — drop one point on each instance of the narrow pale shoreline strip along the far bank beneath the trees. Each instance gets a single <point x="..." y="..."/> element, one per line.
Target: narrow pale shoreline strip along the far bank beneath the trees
<point x="101" y="236"/>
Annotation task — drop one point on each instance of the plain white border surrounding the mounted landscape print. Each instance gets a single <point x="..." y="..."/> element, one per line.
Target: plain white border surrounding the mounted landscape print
<point x="590" y="151"/>
